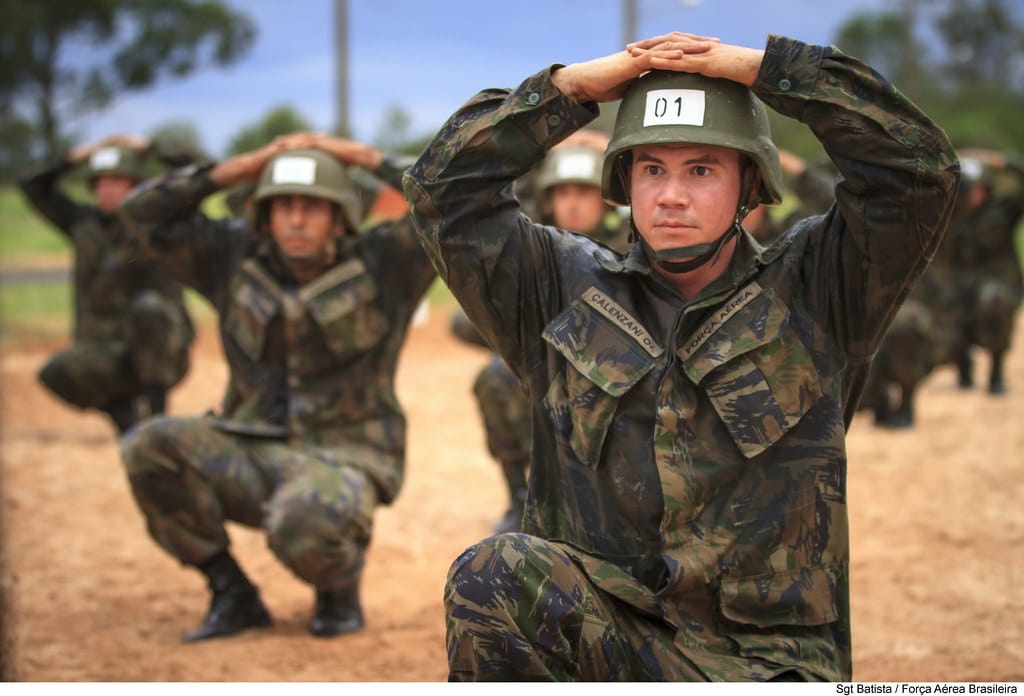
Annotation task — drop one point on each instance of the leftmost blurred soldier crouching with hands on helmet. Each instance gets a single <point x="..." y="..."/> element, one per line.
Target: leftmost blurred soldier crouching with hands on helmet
<point x="132" y="332"/>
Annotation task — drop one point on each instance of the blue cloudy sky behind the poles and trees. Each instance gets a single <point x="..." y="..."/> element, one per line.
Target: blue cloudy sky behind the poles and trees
<point x="430" y="57"/>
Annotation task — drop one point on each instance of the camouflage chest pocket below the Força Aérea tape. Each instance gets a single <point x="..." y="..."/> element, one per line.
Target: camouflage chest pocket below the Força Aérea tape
<point x="756" y="371"/>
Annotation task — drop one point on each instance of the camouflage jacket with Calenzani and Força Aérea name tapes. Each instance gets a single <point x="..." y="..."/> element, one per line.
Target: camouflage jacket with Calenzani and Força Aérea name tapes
<point x="690" y="453"/>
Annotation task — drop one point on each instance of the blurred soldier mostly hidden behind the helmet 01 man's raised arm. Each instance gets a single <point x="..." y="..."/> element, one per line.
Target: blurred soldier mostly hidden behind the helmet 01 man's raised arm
<point x="568" y="195"/>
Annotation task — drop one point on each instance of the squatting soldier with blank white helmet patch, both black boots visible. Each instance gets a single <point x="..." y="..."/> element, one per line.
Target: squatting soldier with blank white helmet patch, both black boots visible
<point x="313" y="316"/>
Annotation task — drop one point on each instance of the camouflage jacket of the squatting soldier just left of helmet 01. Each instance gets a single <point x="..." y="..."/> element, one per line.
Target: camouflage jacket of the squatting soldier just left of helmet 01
<point x="316" y="364"/>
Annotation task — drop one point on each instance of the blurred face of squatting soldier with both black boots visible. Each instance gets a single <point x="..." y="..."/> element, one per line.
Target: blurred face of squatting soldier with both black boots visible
<point x="305" y="228"/>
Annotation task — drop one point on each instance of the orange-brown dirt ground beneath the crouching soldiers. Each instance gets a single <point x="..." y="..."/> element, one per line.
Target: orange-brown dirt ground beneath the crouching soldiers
<point x="937" y="517"/>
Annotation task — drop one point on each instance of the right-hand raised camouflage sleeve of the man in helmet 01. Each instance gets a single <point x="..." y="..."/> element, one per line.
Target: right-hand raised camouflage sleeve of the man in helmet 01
<point x="894" y="197"/>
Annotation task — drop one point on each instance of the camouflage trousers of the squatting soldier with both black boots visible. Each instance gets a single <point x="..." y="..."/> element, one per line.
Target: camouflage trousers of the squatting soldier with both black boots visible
<point x="189" y="478"/>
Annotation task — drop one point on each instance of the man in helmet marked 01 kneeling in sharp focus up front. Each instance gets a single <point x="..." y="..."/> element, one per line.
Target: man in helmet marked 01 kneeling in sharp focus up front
<point x="687" y="510"/>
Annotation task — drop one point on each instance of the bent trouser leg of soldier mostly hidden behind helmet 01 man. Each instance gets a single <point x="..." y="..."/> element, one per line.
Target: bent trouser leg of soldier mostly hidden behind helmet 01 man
<point x="505" y="412"/>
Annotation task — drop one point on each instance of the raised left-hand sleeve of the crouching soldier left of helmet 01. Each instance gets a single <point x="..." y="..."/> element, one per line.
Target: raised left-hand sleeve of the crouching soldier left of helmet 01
<point x="164" y="214"/>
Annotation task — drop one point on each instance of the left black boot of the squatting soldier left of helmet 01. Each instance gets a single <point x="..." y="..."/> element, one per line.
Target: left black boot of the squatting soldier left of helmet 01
<point x="235" y="605"/>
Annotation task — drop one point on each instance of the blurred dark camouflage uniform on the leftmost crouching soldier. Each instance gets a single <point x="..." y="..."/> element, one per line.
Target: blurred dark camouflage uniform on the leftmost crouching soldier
<point x="132" y="332"/>
